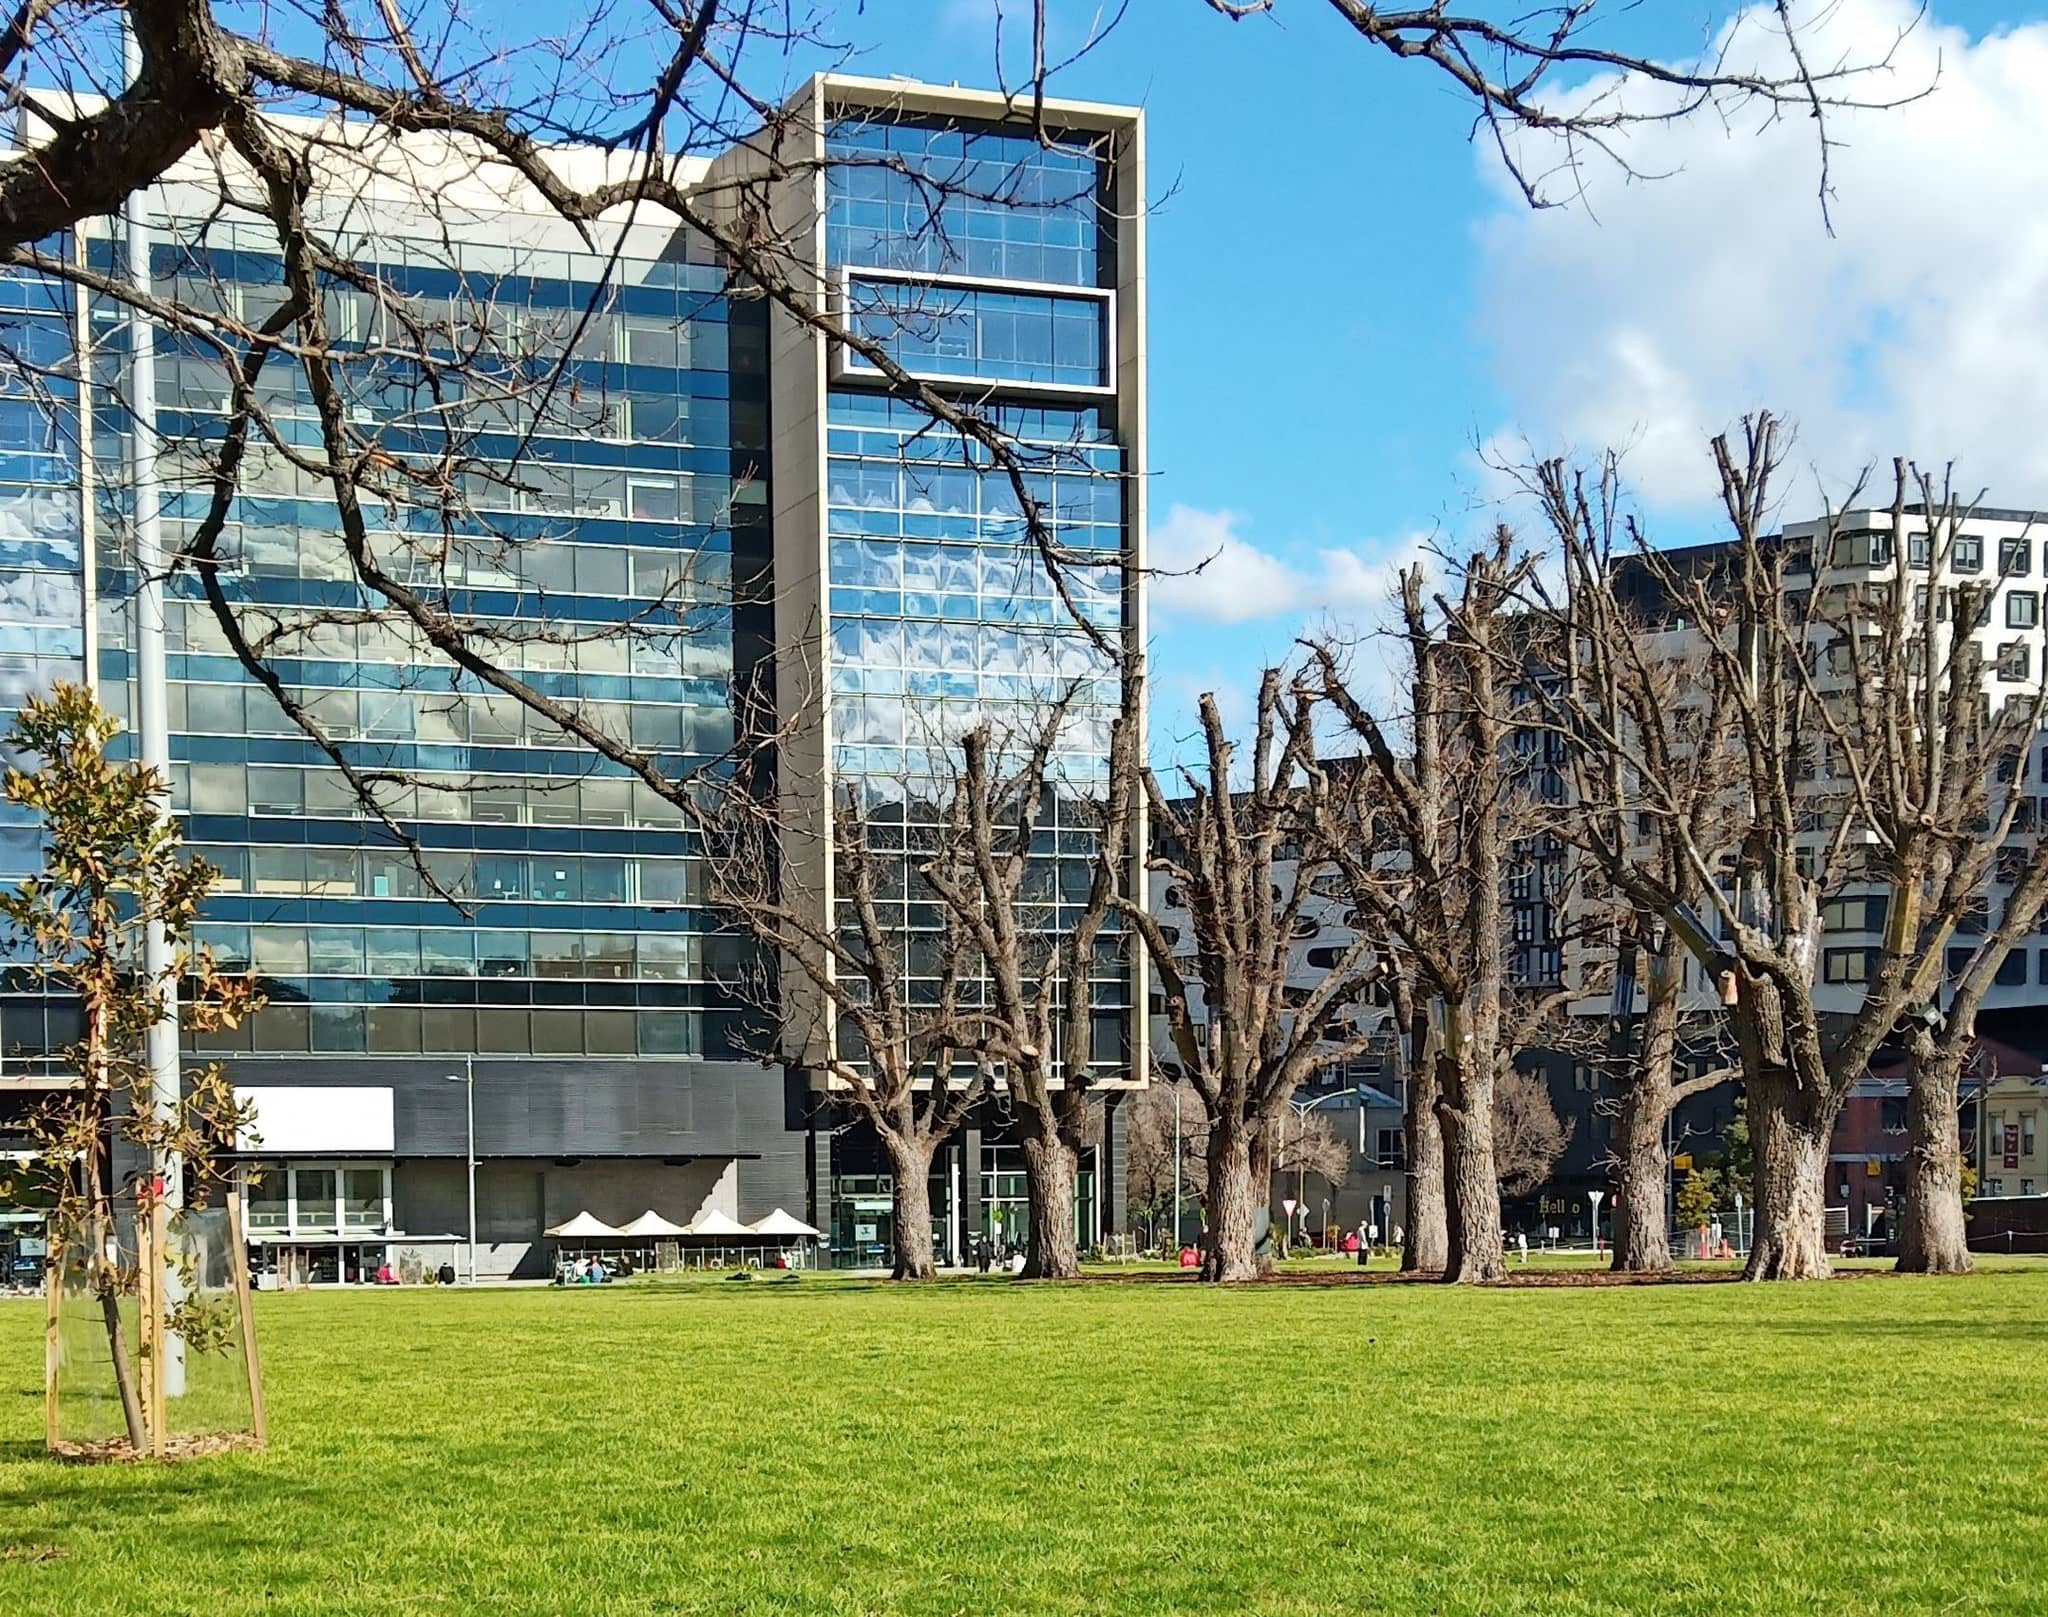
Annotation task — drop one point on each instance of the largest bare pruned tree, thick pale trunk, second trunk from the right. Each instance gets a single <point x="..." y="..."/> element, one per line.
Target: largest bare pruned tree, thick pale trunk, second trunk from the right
<point x="1865" y="752"/>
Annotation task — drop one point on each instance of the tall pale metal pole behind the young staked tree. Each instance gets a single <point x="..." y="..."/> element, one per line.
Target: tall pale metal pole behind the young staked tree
<point x="153" y="715"/>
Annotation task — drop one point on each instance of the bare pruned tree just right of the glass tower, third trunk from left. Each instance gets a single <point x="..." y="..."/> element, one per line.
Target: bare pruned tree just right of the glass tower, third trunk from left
<point x="1244" y="857"/>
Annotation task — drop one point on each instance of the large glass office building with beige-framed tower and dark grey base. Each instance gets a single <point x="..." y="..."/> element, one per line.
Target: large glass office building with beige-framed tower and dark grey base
<point x="587" y="480"/>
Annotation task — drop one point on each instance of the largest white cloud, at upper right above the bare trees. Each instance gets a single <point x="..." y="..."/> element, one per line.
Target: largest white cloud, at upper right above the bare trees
<point x="1658" y="312"/>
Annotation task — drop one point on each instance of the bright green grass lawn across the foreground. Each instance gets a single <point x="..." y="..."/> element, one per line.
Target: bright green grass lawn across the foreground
<point x="1867" y="1446"/>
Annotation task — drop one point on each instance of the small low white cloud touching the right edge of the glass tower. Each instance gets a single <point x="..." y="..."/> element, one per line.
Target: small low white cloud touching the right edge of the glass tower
<point x="1207" y="570"/>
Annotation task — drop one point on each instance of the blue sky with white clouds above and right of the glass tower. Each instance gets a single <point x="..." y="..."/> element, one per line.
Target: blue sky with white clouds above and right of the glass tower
<point x="1347" y="300"/>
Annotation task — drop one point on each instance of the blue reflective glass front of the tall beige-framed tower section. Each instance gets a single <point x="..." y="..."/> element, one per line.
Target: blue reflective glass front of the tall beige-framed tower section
<point x="943" y="609"/>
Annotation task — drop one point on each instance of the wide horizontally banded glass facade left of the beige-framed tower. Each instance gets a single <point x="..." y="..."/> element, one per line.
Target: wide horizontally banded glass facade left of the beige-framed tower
<point x="589" y="533"/>
